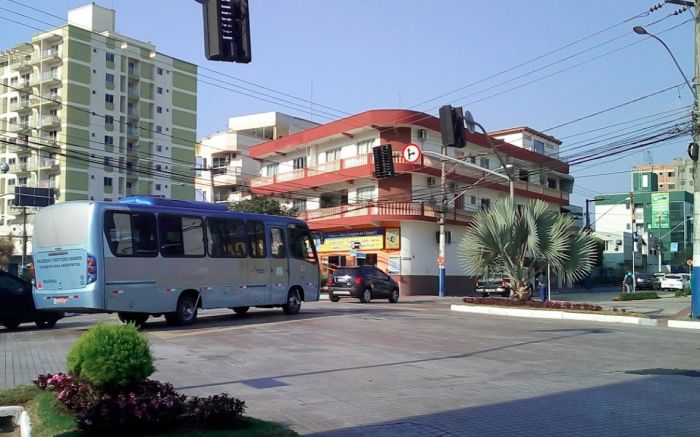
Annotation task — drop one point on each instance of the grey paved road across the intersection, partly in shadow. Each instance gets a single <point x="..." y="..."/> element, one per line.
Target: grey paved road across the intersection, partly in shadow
<point x="415" y="368"/>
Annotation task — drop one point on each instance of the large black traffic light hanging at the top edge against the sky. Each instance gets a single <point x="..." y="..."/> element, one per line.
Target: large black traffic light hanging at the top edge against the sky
<point x="226" y="30"/>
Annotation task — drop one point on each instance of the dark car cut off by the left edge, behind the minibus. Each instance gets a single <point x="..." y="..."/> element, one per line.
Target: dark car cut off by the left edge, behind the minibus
<point x="18" y="304"/>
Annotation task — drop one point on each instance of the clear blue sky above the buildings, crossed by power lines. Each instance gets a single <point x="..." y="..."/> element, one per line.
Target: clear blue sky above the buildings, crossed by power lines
<point x="356" y="55"/>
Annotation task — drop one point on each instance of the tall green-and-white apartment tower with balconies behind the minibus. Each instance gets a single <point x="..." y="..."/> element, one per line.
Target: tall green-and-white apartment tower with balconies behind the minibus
<point x="93" y="114"/>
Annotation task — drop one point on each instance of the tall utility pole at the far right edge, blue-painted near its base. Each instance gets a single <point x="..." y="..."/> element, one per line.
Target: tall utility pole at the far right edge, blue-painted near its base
<point x="695" y="282"/>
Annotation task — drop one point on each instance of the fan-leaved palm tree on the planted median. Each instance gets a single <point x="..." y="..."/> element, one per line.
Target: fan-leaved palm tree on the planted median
<point x="521" y="241"/>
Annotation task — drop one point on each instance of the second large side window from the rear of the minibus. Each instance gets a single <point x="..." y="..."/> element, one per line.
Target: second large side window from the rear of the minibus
<point x="180" y="236"/>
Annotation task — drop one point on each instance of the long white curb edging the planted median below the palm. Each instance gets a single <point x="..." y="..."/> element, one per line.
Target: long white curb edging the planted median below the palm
<point x="559" y="315"/>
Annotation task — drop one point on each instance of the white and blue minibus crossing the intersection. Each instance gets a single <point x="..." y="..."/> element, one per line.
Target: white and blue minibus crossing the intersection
<point x="146" y="256"/>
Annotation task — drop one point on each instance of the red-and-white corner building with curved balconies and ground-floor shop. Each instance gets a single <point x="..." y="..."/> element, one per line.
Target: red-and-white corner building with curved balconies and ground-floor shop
<point x="327" y="174"/>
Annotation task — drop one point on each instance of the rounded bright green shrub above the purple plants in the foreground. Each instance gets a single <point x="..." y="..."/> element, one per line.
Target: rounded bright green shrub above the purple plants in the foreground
<point x="111" y="356"/>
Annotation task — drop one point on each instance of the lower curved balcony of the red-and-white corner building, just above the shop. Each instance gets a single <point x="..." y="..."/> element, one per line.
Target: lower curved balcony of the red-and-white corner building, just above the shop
<point x="373" y="211"/>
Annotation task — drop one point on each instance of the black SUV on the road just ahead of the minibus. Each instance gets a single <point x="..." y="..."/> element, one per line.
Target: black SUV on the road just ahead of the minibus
<point x="362" y="282"/>
